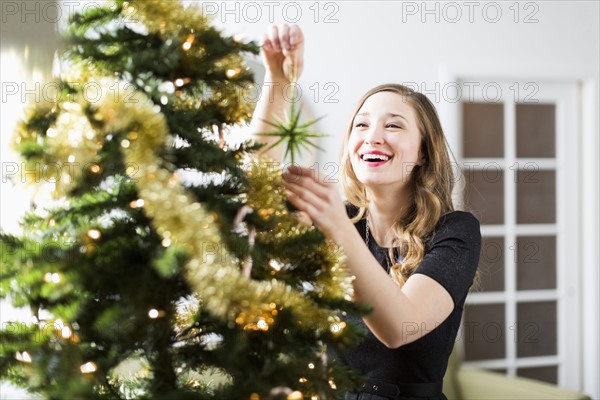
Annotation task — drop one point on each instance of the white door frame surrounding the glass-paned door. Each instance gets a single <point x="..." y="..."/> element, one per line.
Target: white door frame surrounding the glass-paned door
<point x="588" y="144"/>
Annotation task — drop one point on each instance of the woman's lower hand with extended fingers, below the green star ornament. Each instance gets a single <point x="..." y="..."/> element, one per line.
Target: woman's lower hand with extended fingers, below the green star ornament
<point x="311" y="194"/>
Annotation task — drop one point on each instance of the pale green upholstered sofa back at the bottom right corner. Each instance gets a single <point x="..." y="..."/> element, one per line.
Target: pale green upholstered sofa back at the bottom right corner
<point x="477" y="384"/>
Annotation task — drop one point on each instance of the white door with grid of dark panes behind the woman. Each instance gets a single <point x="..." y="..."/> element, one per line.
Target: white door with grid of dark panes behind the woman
<point x="520" y="160"/>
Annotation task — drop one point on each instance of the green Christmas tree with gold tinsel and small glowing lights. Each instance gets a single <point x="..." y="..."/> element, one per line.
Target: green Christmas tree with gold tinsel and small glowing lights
<point x="143" y="285"/>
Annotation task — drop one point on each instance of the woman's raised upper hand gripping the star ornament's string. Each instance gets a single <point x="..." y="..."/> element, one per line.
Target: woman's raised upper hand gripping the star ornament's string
<point x="283" y="51"/>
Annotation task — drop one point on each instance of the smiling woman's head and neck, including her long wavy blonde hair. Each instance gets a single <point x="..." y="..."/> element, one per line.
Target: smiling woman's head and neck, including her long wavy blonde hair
<point x="417" y="176"/>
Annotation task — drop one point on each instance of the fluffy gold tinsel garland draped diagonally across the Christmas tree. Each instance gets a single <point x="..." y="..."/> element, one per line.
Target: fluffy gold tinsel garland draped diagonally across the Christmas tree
<point x="180" y="220"/>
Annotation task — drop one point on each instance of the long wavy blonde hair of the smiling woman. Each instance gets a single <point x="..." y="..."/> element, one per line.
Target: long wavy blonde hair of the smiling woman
<point x="431" y="183"/>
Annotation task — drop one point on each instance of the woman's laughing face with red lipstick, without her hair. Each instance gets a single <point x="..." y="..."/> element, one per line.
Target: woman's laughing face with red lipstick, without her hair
<point x="385" y="142"/>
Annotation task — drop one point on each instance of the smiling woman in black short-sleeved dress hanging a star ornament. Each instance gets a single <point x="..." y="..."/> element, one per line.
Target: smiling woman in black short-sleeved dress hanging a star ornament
<point x="398" y="222"/>
